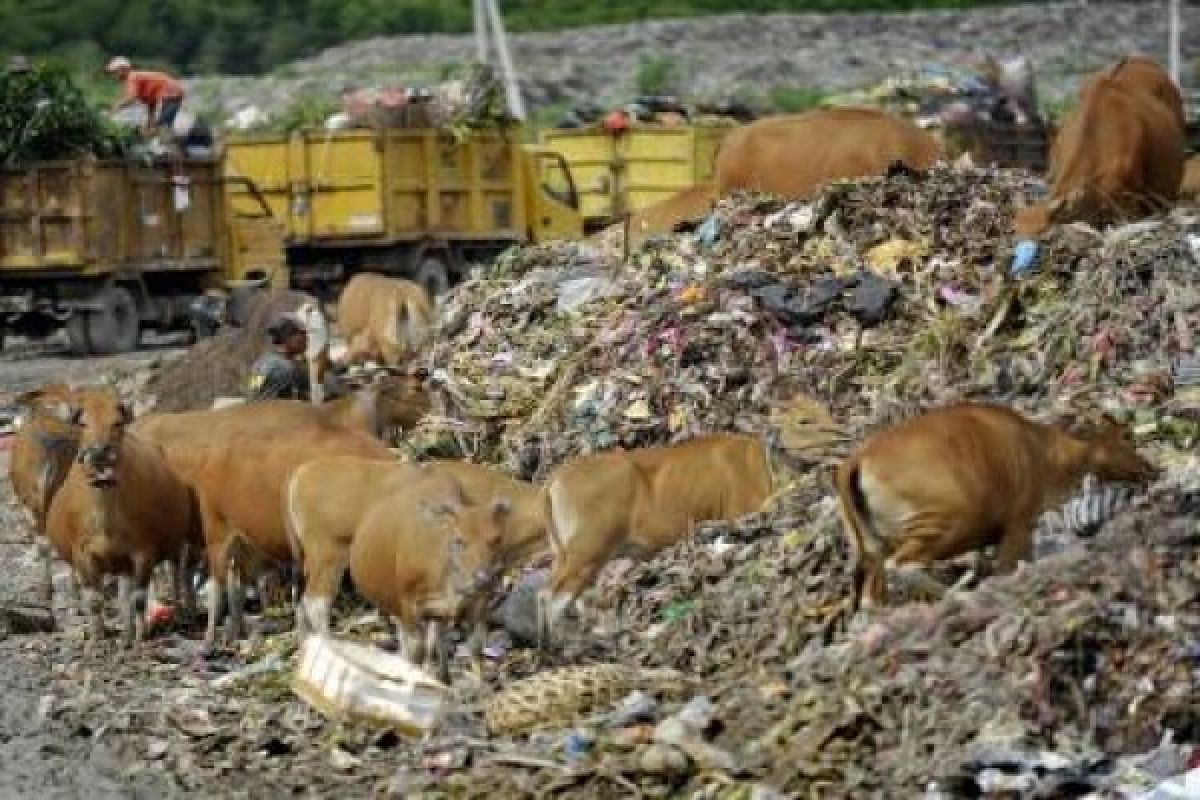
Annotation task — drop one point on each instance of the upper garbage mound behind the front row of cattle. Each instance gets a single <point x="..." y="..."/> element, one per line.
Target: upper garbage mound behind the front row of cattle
<point x="881" y="294"/>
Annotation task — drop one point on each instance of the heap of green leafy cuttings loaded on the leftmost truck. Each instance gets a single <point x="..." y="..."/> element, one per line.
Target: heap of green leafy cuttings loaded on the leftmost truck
<point x="45" y="117"/>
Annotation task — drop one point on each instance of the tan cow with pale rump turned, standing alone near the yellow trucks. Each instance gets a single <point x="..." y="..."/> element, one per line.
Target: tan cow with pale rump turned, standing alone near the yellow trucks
<point x="383" y="320"/>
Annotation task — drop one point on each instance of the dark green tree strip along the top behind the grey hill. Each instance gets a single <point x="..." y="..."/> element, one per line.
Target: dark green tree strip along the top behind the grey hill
<point x="253" y="37"/>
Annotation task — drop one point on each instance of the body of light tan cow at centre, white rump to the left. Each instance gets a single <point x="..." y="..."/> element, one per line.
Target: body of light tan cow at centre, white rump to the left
<point x="637" y="503"/>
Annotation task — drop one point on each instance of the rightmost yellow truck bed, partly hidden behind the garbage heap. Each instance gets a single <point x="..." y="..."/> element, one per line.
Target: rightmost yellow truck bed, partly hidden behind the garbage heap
<point x="627" y="171"/>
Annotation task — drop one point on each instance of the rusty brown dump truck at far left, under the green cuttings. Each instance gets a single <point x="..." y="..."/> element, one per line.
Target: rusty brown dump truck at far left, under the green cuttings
<point x="107" y="249"/>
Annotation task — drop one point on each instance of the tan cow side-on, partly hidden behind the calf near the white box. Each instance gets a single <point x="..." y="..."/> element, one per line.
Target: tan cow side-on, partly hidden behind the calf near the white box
<point x="328" y="498"/>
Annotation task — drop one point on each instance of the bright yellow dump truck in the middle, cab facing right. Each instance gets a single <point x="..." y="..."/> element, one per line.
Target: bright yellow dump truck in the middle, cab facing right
<point x="415" y="203"/>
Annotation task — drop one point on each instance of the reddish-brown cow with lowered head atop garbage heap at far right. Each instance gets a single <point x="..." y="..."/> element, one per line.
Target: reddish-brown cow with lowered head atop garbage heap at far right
<point x="1119" y="155"/>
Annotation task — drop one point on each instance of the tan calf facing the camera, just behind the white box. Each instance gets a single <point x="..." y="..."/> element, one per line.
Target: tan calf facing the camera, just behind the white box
<point x="424" y="557"/>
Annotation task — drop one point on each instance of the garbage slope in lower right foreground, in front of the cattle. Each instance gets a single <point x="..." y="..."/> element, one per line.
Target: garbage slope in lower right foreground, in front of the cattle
<point x="1061" y="679"/>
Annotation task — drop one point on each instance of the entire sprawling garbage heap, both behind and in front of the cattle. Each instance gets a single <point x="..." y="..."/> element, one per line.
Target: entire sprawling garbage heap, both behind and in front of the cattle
<point x="731" y="666"/>
